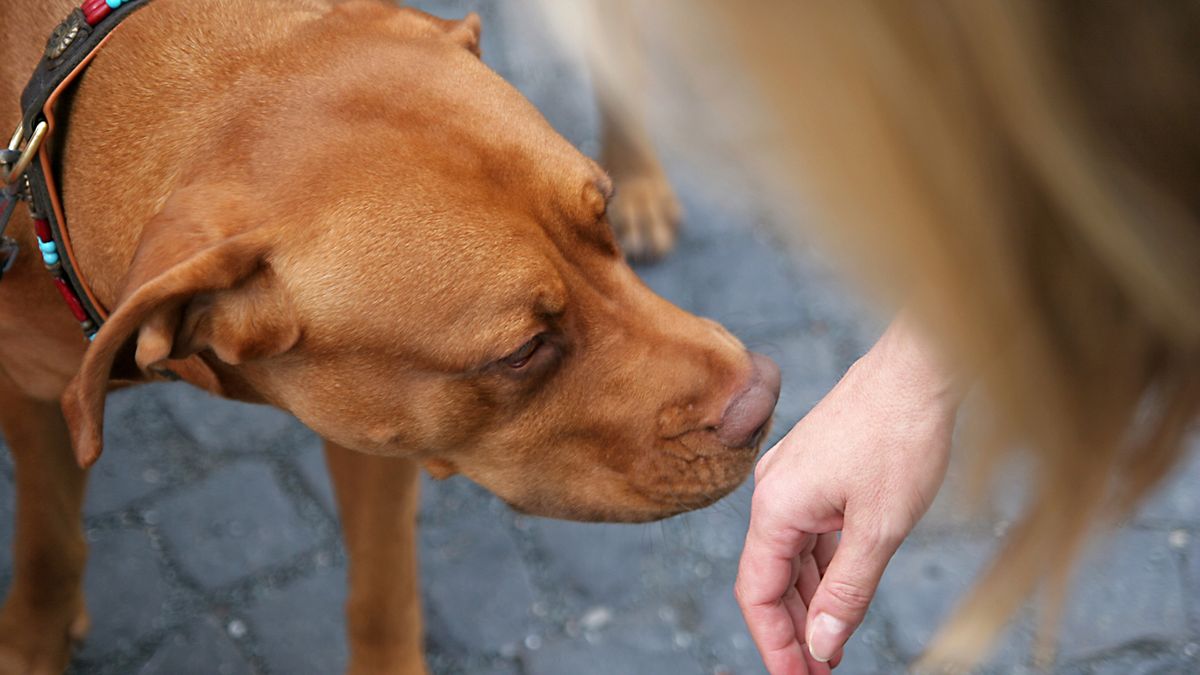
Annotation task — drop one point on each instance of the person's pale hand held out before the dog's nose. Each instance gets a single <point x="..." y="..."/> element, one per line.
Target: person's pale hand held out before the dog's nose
<point x="867" y="461"/>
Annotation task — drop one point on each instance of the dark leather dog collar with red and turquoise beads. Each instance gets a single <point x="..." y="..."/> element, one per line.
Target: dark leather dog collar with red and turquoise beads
<point x="27" y="168"/>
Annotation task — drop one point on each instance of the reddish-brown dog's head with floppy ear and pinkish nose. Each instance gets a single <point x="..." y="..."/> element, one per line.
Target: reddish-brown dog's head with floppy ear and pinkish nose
<point x="412" y="262"/>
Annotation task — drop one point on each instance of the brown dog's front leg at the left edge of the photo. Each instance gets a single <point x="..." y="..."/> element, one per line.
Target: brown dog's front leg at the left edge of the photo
<point x="44" y="612"/>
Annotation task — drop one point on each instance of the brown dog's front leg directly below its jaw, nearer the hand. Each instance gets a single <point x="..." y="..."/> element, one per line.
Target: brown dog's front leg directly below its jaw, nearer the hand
<point x="379" y="501"/>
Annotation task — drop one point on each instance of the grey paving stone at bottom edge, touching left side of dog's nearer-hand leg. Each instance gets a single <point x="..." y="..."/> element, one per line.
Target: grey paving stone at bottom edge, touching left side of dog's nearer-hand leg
<point x="301" y="630"/>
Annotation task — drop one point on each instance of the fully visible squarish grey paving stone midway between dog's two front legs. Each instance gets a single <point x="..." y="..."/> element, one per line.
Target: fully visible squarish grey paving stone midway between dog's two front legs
<point x="232" y="524"/>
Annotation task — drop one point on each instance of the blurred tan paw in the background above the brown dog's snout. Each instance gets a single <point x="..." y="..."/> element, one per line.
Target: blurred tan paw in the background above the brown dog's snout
<point x="645" y="214"/>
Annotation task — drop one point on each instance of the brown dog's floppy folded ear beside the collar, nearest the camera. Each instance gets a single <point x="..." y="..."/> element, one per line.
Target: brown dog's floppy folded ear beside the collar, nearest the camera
<point x="200" y="280"/>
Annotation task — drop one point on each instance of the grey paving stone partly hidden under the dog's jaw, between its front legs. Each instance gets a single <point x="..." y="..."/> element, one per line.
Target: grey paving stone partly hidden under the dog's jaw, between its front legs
<point x="220" y="426"/>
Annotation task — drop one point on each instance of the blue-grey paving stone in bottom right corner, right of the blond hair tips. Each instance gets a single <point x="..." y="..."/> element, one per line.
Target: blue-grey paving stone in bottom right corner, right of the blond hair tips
<point x="1129" y="590"/>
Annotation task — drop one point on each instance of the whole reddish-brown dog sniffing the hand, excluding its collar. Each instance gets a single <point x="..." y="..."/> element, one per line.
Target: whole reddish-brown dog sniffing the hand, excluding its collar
<point x="338" y="210"/>
